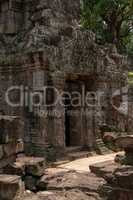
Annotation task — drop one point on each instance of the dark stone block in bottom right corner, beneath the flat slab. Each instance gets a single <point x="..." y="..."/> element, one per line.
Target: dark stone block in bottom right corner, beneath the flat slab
<point x="121" y="187"/>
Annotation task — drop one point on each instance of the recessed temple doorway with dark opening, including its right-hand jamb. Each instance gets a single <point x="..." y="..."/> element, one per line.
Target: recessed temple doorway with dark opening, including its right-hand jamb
<point x="79" y="127"/>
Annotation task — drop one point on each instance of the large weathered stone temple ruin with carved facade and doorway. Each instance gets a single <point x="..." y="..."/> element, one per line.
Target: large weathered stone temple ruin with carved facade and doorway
<point x="43" y="46"/>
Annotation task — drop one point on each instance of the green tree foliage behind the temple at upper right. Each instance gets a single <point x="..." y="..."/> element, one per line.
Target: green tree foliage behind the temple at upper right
<point x="111" y="20"/>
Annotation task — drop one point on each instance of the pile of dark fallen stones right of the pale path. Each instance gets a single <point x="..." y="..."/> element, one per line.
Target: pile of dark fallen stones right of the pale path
<point x="119" y="180"/>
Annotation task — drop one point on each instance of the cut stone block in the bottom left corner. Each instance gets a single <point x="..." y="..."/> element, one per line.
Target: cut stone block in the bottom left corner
<point x="11" y="187"/>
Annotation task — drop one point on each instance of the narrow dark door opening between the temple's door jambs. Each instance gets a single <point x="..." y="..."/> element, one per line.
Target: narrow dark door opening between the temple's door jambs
<point x="73" y="118"/>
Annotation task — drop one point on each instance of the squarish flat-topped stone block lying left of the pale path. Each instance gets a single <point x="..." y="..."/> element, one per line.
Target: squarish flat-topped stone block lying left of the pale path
<point x="34" y="166"/>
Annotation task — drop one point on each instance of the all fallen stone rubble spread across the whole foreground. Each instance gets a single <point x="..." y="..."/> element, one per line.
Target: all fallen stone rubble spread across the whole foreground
<point x="29" y="179"/>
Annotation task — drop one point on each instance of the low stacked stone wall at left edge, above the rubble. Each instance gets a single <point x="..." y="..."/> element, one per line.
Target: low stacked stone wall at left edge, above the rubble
<point x="11" y="143"/>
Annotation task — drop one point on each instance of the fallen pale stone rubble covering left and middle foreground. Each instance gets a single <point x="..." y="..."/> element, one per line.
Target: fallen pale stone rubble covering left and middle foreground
<point x="34" y="182"/>
